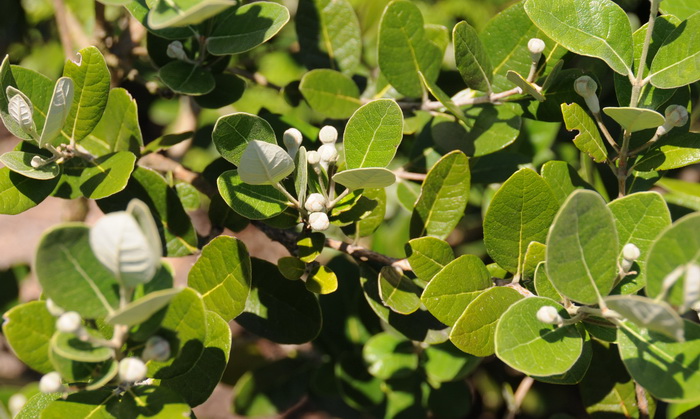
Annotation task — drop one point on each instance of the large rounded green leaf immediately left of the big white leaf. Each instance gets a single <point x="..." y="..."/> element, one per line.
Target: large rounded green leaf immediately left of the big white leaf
<point x="71" y="275"/>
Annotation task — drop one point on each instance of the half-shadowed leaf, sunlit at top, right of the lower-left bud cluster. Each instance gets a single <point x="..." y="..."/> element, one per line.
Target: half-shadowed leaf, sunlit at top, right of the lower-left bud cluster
<point x="197" y="384"/>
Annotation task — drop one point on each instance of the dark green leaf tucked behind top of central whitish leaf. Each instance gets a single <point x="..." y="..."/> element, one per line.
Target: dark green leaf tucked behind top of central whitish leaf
<point x="233" y="132"/>
